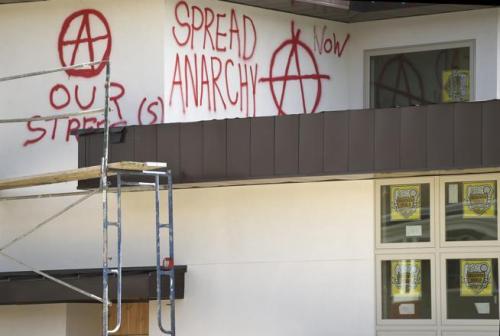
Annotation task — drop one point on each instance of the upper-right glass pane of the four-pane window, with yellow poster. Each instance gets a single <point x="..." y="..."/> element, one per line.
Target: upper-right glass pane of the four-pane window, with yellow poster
<point x="471" y="211"/>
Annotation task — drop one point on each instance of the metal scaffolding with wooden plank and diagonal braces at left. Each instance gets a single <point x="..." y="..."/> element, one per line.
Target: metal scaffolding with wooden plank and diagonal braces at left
<point x="121" y="170"/>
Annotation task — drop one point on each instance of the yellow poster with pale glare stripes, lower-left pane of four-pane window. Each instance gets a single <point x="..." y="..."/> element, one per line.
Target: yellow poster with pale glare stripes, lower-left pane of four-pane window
<point x="406" y="280"/>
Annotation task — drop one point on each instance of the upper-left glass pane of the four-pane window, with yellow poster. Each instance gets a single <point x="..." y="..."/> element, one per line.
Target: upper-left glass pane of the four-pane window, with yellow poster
<point x="405" y="213"/>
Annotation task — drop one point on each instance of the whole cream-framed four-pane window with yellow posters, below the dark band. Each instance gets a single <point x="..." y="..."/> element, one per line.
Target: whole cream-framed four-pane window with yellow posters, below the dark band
<point x="437" y="274"/>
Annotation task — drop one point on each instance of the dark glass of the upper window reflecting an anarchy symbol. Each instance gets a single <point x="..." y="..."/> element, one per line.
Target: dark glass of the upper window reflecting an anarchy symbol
<point x="420" y="78"/>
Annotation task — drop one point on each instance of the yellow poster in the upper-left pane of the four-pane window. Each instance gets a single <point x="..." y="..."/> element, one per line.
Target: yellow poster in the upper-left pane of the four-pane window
<point x="405" y="202"/>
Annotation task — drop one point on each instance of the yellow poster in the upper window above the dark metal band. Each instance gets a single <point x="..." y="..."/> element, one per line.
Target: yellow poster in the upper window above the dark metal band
<point x="456" y="85"/>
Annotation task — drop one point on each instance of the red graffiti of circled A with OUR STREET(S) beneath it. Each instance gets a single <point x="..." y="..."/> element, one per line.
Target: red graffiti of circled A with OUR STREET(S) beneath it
<point x="91" y="42"/>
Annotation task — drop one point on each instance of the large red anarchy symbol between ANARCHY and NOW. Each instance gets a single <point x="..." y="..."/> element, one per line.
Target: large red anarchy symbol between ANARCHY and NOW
<point x="294" y="45"/>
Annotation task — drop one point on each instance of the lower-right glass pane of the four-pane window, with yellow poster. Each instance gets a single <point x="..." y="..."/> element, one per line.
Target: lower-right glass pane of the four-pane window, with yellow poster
<point x="472" y="288"/>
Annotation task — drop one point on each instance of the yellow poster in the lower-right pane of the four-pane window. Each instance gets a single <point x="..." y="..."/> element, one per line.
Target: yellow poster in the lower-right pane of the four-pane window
<point x="476" y="277"/>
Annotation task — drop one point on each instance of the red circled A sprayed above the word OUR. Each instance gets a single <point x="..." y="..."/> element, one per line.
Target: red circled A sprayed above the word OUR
<point x="70" y="47"/>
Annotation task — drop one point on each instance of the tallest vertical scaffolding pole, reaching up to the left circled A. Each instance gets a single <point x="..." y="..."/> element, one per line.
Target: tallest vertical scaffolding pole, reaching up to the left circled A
<point x="104" y="189"/>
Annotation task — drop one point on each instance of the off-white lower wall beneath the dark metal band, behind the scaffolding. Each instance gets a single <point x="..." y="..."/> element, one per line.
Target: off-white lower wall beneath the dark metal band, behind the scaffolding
<point x="269" y="259"/>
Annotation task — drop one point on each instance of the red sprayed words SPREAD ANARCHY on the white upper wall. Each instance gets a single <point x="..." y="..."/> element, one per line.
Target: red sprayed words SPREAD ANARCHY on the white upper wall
<point x="217" y="81"/>
